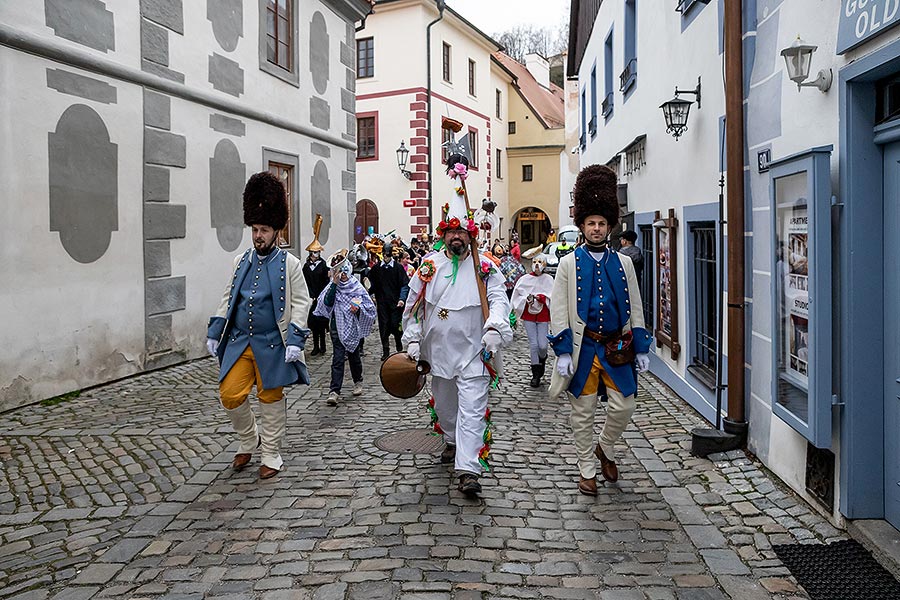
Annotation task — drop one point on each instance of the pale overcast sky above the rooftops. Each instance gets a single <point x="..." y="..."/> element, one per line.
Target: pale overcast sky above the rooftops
<point x="497" y="16"/>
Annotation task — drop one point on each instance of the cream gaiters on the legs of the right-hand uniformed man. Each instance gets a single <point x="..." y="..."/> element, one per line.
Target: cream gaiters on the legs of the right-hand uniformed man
<point x="618" y="413"/>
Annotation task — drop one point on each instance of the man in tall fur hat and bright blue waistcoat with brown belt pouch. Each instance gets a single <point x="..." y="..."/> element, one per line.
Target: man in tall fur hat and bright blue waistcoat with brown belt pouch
<point x="597" y="328"/>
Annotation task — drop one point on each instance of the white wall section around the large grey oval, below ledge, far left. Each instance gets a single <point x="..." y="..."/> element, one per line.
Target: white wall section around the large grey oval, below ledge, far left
<point x="67" y="325"/>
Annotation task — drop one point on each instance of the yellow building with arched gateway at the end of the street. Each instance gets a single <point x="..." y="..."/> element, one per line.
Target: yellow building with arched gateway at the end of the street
<point x="535" y="147"/>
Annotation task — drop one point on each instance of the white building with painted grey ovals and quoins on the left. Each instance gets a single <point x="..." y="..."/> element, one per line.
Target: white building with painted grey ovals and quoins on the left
<point x="129" y="131"/>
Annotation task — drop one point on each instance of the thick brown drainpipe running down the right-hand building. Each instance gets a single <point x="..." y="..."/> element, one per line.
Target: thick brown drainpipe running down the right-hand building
<point x="735" y="423"/>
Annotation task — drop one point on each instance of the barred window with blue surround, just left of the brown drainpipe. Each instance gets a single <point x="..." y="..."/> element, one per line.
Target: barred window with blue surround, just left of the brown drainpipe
<point x="705" y="346"/>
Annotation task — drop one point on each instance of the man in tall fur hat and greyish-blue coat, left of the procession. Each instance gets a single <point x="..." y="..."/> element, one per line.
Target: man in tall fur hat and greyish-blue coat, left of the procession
<point x="259" y="330"/>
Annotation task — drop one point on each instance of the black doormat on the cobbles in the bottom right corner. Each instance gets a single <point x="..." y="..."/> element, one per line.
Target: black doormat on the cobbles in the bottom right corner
<point x="838" y="571"/>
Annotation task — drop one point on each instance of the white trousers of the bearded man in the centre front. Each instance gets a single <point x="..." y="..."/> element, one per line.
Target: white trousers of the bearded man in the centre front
<point x="460" y="404"/>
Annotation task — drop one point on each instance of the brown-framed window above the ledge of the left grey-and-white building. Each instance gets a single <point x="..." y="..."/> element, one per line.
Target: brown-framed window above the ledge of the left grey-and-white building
<point x="277" y="39"/>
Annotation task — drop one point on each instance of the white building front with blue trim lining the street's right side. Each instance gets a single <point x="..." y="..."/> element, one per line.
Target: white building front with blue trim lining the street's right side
<point x="820" y="205"/>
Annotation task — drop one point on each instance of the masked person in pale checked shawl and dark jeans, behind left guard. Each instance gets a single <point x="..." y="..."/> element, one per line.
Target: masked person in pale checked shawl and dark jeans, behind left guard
<point x="351" y="314"/>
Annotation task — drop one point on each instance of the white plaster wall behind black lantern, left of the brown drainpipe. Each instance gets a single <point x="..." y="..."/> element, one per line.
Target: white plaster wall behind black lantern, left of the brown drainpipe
<point x="680" y="172"/>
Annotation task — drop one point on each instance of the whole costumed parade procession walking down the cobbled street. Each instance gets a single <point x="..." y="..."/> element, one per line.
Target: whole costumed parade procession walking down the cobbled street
<point x="447" y="303"/>
